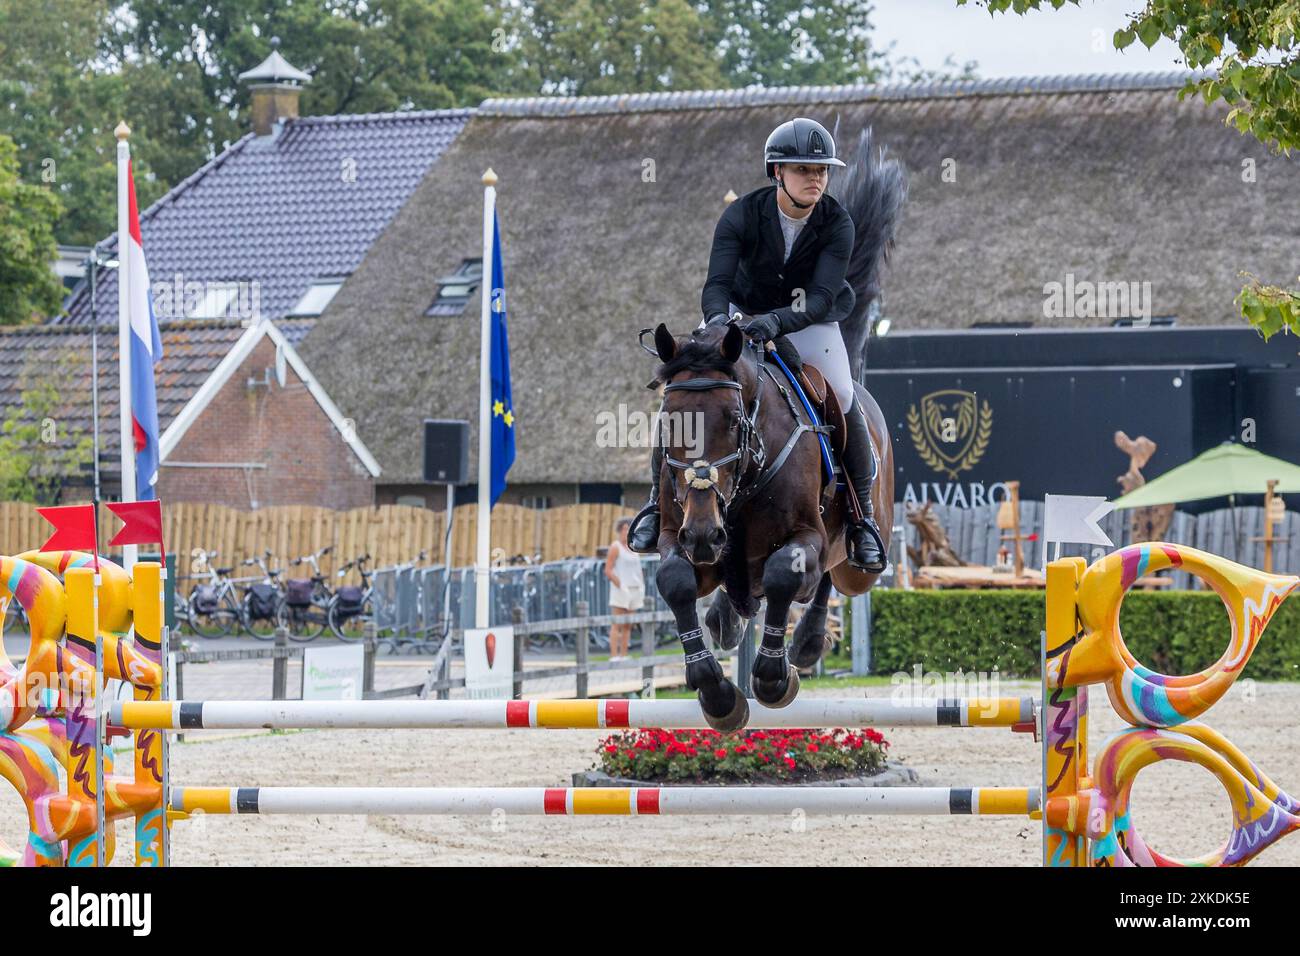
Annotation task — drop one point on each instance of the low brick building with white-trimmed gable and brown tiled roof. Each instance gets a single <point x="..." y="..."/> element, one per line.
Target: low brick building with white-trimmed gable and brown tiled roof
<point x="231" y="432"/>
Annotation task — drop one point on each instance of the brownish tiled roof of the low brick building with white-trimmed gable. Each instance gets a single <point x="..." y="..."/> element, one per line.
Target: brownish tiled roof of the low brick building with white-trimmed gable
<point x="62" y="357"/>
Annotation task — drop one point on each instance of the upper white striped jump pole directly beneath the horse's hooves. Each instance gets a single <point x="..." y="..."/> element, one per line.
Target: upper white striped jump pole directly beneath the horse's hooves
<point x="609" y="715"/>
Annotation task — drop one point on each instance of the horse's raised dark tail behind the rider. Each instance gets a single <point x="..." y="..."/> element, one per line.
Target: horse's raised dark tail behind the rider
<point x="873" y="189"/>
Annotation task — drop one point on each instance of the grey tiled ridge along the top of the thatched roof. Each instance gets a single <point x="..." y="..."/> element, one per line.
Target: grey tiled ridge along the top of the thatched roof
<point x="857" y="93"/>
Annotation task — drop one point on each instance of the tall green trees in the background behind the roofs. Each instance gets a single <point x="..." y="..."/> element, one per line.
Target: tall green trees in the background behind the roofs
<point x="171" y="70"/>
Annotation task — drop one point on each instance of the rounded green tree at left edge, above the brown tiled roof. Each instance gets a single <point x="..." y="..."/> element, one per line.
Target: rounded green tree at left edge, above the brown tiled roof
<point x="29" y="288"/>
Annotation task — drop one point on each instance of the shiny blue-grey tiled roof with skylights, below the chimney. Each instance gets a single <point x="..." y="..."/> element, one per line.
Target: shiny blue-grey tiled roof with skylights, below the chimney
<point x="283" y="211"/>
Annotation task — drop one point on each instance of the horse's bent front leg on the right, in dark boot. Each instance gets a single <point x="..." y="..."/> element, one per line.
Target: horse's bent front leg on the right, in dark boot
<point x="794" y="570"/>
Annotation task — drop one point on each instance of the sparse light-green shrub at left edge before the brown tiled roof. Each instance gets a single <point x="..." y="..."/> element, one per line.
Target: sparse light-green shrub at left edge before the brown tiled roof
<point x="38" y="449"/>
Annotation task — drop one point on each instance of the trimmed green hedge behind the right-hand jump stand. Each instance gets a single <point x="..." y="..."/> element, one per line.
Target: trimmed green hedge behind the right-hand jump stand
<point x="1173" y="633"/>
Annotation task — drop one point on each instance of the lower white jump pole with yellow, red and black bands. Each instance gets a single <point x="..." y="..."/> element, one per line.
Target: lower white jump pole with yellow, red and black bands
<point x="610" y="802"/>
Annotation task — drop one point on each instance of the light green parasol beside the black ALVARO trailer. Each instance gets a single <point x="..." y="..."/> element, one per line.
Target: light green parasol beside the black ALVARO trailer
<point x="1228" y="470"/>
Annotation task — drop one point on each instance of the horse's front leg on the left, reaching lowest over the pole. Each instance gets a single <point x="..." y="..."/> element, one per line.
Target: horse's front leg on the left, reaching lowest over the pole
<point x="722" y="702"/>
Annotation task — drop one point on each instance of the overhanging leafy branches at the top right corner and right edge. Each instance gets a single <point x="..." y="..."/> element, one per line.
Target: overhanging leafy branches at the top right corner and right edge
<point x="1254" y="47"/>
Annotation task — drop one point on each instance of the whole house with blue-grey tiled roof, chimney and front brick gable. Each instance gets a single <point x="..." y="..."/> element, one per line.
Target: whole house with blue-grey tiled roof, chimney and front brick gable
<point x="244" y="256"/>
